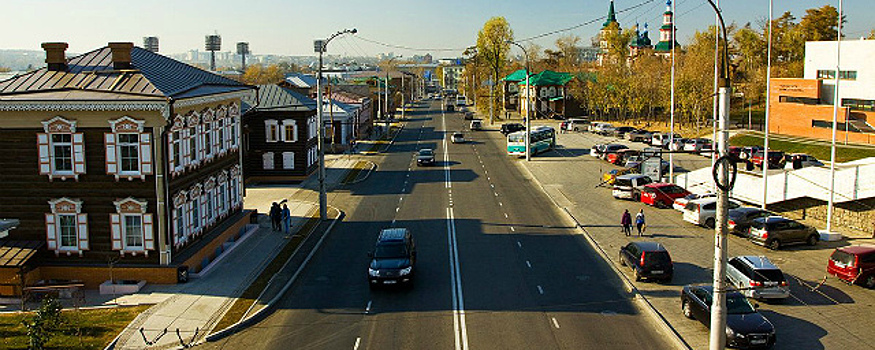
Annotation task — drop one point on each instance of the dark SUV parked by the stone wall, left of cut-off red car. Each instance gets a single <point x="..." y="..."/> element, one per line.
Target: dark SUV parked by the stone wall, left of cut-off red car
<point x="775" y="232"/>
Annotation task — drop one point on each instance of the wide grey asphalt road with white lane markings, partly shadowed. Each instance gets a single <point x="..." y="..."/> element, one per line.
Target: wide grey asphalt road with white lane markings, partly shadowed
<point x="498" y="266"/>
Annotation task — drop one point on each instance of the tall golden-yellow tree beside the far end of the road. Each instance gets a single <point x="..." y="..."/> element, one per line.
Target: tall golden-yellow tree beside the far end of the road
<point x="492" y="50"/>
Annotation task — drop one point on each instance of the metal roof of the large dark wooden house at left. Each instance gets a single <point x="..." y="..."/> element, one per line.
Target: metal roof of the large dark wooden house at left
<point x="91" y="76"/>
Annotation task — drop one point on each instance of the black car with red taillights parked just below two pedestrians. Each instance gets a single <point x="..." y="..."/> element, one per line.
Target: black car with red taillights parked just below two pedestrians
<point x="648" y="260"/>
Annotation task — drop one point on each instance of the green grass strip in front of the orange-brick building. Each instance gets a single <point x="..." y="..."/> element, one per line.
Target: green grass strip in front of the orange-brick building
<point x="819" y="151"/>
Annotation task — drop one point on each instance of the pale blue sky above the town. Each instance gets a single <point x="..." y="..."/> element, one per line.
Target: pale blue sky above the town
<point x="288" y="27"/>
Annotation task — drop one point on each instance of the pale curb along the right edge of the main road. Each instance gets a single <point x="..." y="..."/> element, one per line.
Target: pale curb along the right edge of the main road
<point x="667" y="328"/>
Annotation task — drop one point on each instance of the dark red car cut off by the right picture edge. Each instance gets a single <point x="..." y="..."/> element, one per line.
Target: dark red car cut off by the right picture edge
<point x="853" y="264"/>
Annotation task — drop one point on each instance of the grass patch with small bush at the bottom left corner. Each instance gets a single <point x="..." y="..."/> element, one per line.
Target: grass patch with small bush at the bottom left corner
<point x="83" y="329"/>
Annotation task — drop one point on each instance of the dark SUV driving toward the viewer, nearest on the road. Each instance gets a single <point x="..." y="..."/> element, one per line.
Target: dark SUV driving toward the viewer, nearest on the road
<point x="393" y="258"/>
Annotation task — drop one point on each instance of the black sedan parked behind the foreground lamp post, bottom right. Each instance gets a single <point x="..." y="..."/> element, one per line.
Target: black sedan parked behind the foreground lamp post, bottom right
<point x="745" y="327"/>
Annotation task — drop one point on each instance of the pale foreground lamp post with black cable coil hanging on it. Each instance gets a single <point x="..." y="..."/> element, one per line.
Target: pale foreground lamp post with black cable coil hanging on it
<point x="724" y="184"/>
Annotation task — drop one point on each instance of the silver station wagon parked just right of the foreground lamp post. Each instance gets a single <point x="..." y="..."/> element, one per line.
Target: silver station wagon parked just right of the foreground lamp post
<point x="757" y="278"/>
